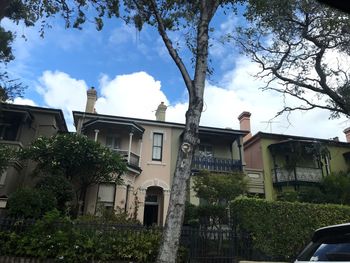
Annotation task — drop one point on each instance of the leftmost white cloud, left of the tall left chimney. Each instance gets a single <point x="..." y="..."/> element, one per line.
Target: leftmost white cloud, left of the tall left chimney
<point x="59" y="90"/>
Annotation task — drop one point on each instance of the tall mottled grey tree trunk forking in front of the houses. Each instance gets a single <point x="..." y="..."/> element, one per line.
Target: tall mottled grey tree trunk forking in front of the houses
<point x="176" y="210"/>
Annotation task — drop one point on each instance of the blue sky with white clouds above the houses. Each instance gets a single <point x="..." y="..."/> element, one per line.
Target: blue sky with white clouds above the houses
<point x="133" y="72"/>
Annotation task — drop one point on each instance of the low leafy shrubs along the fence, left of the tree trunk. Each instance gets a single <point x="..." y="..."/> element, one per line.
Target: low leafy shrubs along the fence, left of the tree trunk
<point x="60" y="238"/>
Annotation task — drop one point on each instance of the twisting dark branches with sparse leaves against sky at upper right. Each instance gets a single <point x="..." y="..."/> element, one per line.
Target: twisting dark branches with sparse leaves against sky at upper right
<point x="301" y="47"/>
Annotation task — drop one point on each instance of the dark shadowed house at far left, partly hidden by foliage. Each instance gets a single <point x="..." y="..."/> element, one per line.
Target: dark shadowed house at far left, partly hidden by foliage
<point x="19" y="126"/>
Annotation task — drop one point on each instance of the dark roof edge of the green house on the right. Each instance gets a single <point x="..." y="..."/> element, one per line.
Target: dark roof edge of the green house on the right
<point x="286" y="137"/>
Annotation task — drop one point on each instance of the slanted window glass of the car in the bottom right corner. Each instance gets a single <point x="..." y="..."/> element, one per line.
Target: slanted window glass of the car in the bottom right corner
<point x="327" y="249"/>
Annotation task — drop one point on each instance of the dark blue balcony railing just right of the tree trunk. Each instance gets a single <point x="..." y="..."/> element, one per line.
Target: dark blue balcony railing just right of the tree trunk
<point x="215" y="164"/>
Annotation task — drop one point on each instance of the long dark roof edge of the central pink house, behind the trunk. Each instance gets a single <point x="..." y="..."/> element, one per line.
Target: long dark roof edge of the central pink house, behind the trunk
<point x="205" y="129"/>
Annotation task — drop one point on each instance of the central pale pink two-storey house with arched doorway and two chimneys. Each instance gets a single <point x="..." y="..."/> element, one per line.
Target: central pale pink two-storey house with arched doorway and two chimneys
<point x="150" y="149"/>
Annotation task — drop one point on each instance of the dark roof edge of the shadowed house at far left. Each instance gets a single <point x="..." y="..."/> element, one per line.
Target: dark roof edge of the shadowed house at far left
<point x="30" y="109"/>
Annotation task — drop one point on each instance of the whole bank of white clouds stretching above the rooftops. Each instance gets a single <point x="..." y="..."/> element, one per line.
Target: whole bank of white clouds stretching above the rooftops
<point x="138" y="95"/>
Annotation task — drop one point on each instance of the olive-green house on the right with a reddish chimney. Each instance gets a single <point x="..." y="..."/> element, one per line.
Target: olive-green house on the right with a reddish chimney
<point x="289" y="162"/>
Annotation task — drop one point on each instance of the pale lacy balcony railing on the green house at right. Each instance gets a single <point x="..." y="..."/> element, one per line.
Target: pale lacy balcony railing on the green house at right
<point x="300" y="174"/>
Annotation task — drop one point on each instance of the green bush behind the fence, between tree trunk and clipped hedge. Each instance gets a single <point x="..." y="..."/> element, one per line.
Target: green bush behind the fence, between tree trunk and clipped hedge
<point x="214" y="190"/>
